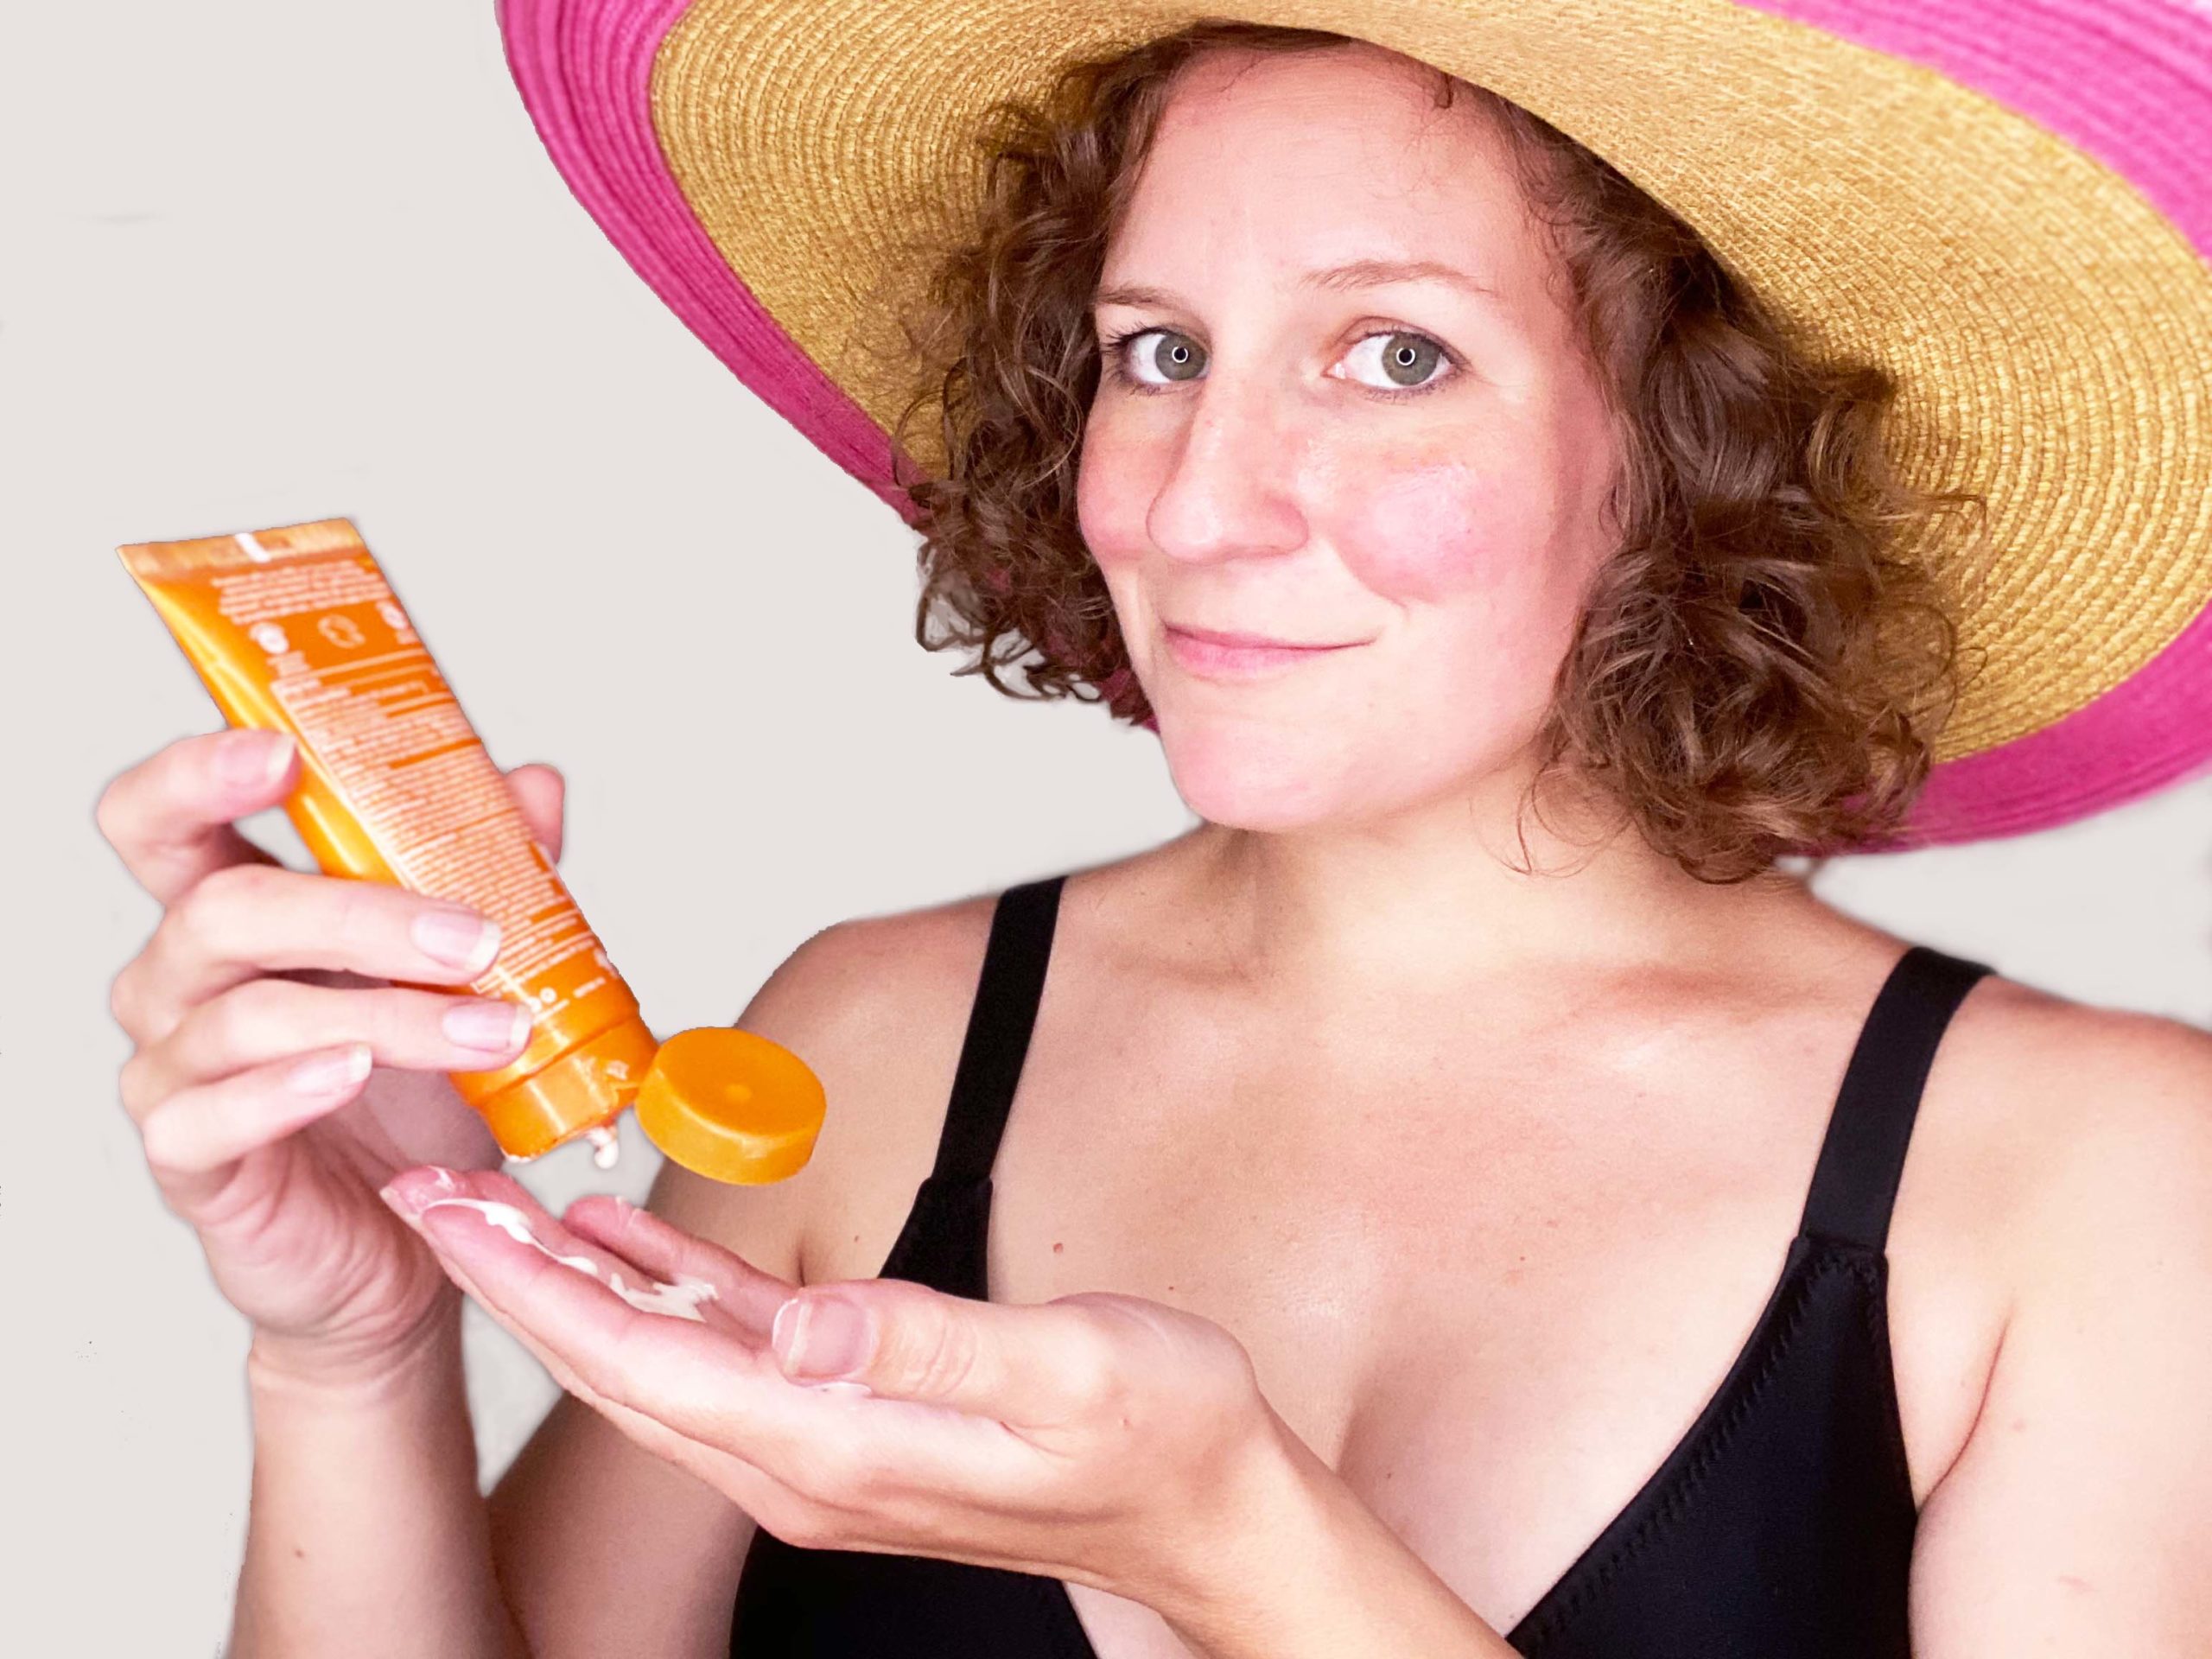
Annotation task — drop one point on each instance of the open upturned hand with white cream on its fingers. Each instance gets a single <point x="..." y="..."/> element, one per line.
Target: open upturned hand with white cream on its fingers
<point x="1100" y="1439"/>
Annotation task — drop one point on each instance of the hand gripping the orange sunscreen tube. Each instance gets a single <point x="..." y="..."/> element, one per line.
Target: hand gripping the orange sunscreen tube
<point x="247" y="1005"/>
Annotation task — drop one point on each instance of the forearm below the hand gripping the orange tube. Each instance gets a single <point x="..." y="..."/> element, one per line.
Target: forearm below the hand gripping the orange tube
<point x="368" y="1532"/>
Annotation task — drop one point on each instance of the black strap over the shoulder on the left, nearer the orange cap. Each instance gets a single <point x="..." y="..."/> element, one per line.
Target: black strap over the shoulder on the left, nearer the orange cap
<point x="999" y="1030"/>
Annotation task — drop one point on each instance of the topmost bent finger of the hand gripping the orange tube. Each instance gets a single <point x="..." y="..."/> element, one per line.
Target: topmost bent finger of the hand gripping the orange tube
<point x="171" y="815"/>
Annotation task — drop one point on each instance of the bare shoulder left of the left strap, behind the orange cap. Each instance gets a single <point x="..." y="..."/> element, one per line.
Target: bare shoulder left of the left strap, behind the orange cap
<point x="877" y="1008"/>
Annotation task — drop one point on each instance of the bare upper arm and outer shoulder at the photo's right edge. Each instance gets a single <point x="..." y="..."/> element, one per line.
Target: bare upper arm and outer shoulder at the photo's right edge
<point x="2078" y="1519"/>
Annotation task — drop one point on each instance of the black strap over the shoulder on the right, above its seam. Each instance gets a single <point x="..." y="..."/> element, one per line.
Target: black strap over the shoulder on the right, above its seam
<point x="1864" y="1158"/>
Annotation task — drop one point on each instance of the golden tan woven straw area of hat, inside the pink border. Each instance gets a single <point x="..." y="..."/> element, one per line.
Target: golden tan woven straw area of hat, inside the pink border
<point x="2047" y="324"/>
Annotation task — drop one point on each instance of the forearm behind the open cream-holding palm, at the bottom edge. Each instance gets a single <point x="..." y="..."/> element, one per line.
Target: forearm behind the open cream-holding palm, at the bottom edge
<point x="1311" y="1572"/>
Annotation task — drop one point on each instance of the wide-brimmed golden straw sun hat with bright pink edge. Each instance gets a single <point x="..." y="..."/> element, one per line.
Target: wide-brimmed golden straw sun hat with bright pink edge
<point x="2005" y="202"/>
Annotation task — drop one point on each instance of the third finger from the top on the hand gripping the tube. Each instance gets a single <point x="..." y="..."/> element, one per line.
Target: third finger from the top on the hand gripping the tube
<point x="269" y="1019"/>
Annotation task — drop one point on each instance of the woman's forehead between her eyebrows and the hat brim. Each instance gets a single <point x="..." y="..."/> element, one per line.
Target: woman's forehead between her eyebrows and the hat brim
<point x="1302" y="160"/>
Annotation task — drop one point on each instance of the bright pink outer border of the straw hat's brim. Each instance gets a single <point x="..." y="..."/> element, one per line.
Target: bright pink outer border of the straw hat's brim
<point x="2096" y="74"/>
